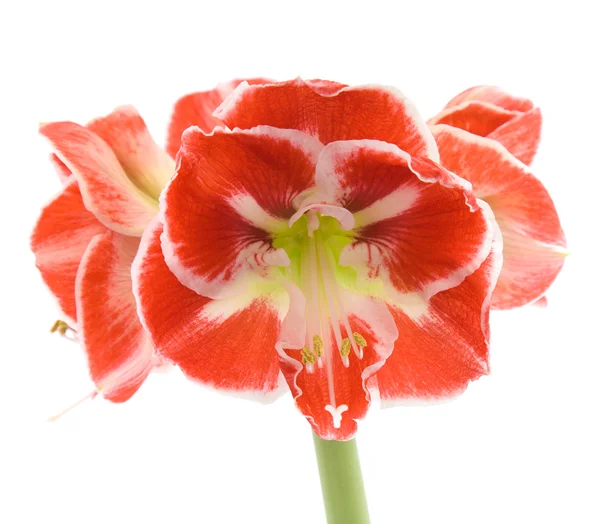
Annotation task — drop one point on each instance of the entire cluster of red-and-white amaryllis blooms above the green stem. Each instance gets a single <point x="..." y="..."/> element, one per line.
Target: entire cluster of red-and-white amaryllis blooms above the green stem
<point x="301" y="232"/>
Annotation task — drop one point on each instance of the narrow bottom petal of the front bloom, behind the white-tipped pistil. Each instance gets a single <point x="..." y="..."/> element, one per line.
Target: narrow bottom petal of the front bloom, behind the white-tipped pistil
<point x="333" y="396"/>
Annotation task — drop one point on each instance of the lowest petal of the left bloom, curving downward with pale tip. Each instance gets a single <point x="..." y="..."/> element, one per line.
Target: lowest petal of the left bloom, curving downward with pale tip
<point x="120" y="354"/>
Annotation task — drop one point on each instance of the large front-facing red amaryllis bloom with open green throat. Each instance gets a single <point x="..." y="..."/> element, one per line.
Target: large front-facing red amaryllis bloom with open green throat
<point x="331" y="248"/>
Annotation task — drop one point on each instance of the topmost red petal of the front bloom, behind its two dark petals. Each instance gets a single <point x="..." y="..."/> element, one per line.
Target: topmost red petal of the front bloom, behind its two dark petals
<point x="330" y="112"/>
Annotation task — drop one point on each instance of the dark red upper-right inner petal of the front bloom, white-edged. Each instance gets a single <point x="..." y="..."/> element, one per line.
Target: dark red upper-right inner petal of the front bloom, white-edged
<point x="418" y="226"/>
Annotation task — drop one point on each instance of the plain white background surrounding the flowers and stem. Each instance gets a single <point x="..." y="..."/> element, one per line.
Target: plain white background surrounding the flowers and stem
<point x="520" y="446"/>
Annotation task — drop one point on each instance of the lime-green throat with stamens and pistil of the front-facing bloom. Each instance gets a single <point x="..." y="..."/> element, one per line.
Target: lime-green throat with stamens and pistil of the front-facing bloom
<point x="313" y="245"/>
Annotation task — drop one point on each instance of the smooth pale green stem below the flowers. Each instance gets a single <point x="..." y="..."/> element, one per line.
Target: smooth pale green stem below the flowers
<point x="341" y="482"/>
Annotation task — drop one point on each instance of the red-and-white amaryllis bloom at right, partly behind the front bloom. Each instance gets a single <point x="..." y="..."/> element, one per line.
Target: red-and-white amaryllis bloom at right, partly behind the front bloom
<point x="487" y="137"/>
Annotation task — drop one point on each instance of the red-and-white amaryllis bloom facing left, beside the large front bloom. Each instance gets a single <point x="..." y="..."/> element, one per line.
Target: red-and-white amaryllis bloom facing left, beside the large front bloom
<point x="86" y="239"/>
